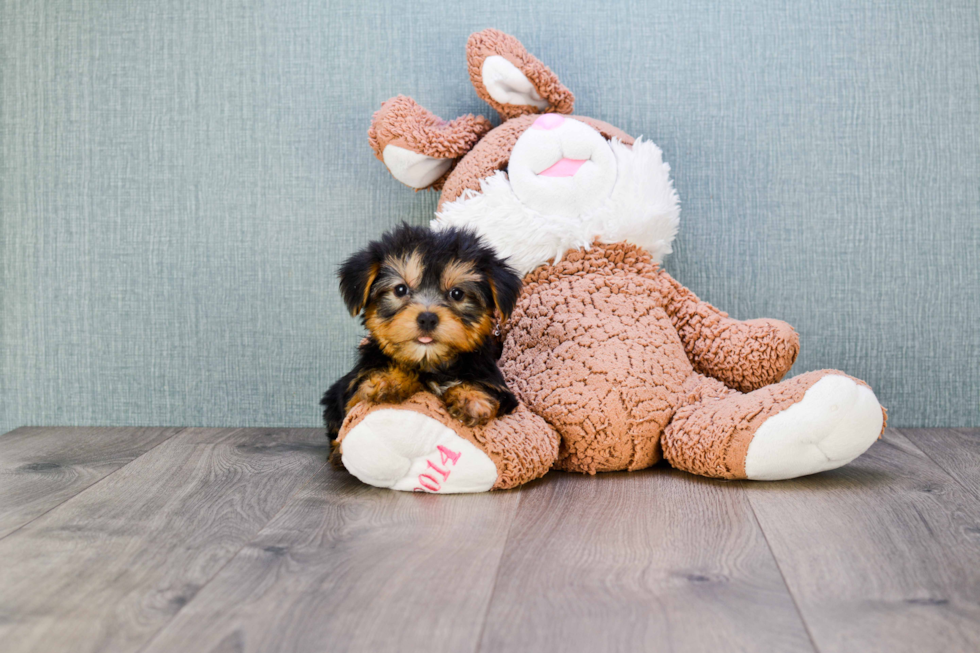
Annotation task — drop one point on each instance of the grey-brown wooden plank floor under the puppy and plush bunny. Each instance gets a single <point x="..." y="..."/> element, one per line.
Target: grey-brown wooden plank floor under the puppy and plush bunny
<point x="163" y="540"/>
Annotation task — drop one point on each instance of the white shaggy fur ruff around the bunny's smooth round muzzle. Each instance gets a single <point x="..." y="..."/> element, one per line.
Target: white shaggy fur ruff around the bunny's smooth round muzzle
<point x="642" y="209"/>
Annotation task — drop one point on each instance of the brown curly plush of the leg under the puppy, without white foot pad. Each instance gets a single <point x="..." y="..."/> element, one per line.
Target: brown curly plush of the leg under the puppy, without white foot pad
<point x="521" y="445"/>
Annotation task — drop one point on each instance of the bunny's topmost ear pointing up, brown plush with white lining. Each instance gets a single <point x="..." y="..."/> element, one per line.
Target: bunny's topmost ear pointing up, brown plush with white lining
<point x="511" y="80"/>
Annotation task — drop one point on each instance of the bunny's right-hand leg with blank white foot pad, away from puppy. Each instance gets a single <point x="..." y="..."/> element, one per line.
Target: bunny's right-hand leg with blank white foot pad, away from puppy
<point x="808" y="424"/>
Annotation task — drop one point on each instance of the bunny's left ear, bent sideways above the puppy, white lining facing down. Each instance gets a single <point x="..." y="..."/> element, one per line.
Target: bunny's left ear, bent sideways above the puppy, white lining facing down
<point x="418" y="147"/>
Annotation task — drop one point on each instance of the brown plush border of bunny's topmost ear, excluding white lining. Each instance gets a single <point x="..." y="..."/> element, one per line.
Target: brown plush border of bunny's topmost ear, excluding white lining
<point x="491" y="42"/>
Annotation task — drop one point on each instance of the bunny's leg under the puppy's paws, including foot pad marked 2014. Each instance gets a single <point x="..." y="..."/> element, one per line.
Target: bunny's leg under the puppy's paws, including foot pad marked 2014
<point x="418" y="446"/>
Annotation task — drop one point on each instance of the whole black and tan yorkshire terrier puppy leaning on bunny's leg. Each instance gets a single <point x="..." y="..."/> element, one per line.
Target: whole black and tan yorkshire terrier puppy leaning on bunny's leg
<point x="428" y="300"/>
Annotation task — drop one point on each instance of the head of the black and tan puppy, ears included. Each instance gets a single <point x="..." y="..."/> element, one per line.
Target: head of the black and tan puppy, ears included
<point x="428" y="297"/>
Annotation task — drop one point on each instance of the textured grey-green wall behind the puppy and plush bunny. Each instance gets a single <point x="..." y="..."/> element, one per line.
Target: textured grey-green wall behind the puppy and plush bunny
<point x="180" y="179"/>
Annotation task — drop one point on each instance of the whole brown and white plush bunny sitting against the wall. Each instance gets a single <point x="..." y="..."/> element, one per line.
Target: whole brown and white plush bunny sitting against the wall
<point x="616" y="364"/>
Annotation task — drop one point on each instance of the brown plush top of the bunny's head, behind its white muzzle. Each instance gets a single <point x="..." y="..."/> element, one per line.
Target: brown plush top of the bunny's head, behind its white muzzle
<point x="493" y="152"/>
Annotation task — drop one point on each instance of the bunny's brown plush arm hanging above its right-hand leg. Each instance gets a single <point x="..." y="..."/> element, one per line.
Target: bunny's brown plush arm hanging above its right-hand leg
<point x="742" y="355"/>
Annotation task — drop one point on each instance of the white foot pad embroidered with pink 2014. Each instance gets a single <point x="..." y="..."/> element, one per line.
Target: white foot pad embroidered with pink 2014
<point x="408" y="451"/>
